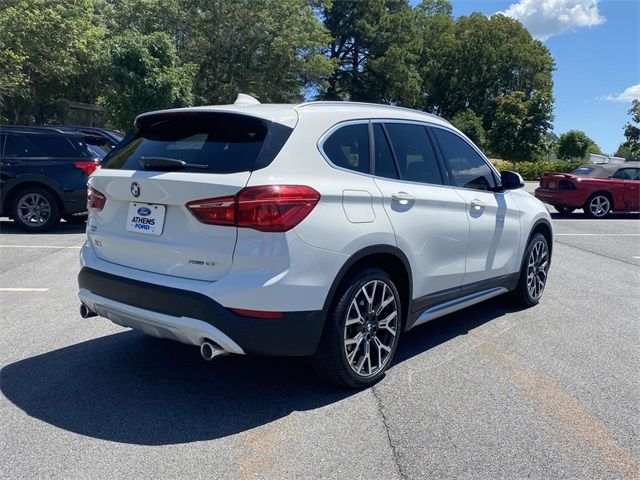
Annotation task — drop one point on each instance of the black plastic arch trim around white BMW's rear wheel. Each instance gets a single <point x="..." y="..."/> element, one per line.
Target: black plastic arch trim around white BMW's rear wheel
<point x="386" y="257"/>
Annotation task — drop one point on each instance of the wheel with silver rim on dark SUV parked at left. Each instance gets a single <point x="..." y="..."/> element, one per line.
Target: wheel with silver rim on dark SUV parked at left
<point x="35" y="209"/>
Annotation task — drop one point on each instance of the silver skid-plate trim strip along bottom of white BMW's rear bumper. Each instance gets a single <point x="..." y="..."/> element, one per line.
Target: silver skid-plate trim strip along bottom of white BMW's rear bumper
<point x="182" y="329"/>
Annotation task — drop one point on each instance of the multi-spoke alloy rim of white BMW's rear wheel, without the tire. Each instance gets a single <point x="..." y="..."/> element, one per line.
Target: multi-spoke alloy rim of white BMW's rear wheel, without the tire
<point x="370" y="329"/>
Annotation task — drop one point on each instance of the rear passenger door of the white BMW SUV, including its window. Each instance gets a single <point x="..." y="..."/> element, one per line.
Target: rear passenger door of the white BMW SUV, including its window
<point x="429" y="218"/>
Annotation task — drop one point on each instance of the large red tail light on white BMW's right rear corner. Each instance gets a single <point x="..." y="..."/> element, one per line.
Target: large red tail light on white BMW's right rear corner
<point x="268" y="208"/>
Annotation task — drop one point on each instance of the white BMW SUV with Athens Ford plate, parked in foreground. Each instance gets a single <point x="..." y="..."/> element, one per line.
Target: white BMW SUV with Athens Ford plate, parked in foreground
<point x="324" y="229"/>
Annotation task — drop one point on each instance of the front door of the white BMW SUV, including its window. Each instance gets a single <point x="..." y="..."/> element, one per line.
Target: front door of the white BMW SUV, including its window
<point x="494" y="216"/>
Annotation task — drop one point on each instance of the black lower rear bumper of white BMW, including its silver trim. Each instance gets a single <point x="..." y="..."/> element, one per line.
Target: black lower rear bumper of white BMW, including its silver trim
<point x="191" y="317"/>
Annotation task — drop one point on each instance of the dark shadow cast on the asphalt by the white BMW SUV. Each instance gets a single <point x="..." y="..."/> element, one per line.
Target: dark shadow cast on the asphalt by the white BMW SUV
<point x="130" y="388"/>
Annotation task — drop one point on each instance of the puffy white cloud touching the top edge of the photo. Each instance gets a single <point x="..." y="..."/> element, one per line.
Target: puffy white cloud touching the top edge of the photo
<point x="546" y="18"/>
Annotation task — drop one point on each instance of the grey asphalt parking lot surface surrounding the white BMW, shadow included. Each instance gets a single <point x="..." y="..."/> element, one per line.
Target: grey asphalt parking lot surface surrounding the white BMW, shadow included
<point x="490" y="392"/>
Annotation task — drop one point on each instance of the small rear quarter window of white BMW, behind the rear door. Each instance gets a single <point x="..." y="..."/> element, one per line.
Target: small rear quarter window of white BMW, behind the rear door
<point x="348" y="147"/>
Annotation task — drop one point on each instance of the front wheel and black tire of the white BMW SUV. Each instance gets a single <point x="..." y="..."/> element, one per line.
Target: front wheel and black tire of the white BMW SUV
<point x="524" y="295"/>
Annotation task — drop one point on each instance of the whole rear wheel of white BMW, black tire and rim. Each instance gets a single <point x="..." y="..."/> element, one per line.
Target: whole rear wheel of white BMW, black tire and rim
<point x="331" y="360"/>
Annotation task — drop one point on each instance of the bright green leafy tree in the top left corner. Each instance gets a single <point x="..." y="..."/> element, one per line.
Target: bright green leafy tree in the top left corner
<point x="47" y="45"/>
